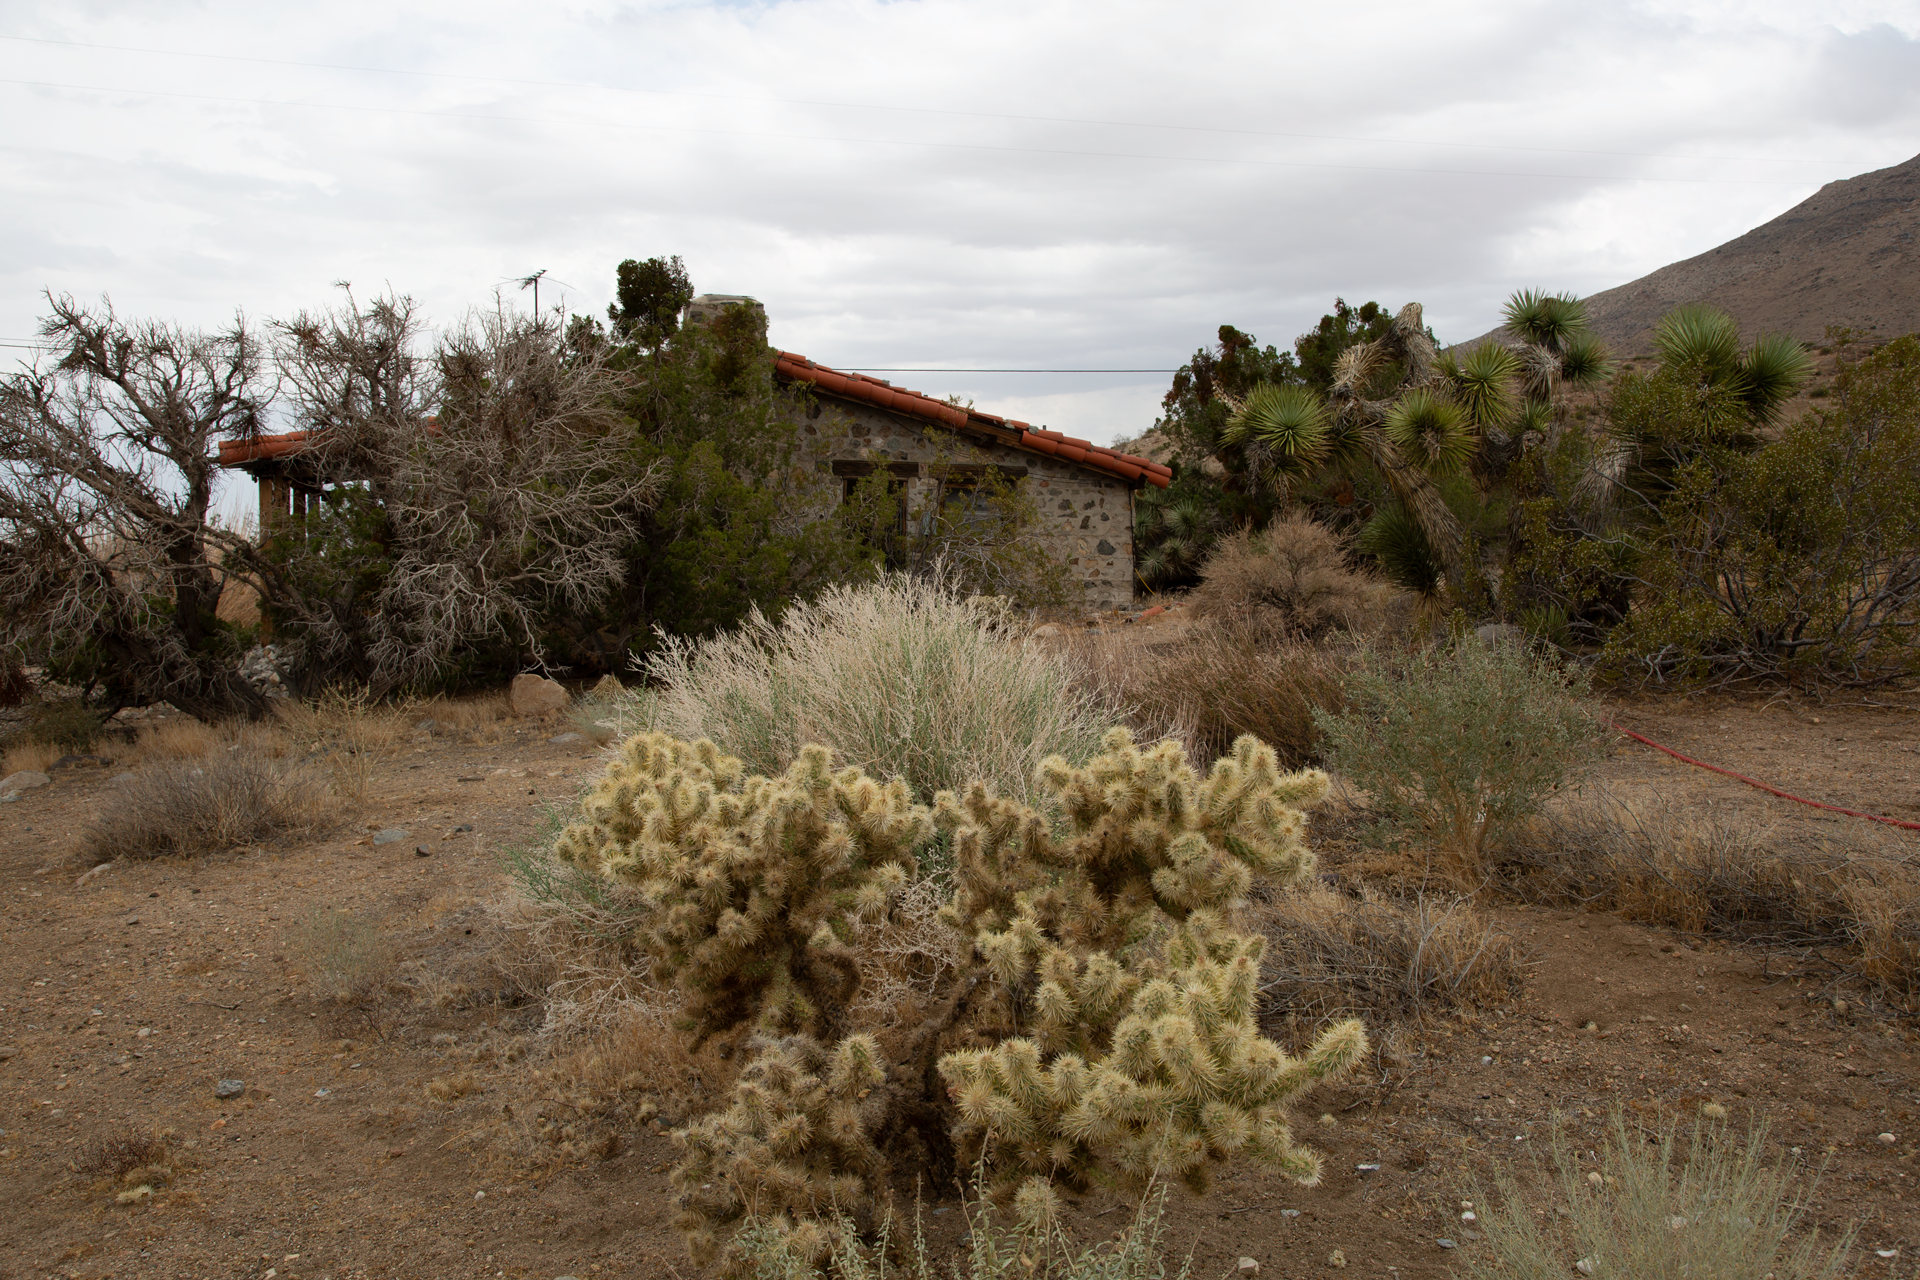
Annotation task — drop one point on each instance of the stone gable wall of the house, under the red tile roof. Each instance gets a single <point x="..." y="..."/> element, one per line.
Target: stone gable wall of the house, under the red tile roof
<point x="1086" y="515"/>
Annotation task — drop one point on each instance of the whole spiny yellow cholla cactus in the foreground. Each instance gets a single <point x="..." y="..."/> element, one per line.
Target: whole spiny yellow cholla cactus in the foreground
<point x="1099" y="1028"/>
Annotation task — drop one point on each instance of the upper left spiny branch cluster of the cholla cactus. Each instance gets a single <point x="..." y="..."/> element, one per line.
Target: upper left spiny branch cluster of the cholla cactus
<point x="756" y="886"/>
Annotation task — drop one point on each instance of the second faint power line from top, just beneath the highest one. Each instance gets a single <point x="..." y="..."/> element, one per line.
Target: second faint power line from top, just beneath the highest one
<point x="911" y="143"/>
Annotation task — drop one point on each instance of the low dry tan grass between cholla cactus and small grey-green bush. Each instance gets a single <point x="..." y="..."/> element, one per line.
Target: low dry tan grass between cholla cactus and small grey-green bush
<point x="1381" y="959"/>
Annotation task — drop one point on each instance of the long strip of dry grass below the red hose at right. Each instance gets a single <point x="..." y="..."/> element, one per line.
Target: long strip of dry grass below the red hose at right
<point x="1698" y="872"/>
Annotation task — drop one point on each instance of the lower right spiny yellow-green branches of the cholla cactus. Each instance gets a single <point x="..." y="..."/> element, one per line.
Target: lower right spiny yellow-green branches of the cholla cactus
<point x="1188" y="1081"/>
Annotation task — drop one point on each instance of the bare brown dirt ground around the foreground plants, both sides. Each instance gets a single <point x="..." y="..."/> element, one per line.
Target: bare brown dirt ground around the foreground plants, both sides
<point x="130" y="993"/>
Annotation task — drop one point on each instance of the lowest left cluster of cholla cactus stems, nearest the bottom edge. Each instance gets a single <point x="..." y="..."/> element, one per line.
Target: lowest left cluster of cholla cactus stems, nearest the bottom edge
<point x="796" y="1150"/>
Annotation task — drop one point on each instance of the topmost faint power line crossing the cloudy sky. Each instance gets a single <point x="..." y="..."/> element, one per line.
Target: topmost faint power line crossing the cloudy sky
<point x="882" y="107"/>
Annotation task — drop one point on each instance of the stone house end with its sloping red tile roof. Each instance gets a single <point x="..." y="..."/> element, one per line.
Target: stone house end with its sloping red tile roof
<point x="938" y="452"/>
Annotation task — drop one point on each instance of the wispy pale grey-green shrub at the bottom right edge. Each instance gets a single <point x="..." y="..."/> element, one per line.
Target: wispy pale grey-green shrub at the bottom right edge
<point x="1641" y="1212"/>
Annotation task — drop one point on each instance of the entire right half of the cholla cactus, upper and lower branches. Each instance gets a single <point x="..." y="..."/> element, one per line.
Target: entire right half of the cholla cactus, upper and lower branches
<point x="1128" y="1062"/>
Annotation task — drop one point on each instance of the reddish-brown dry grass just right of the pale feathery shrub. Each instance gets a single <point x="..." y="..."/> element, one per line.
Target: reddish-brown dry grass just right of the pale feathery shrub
<point x="1216" y="682"/>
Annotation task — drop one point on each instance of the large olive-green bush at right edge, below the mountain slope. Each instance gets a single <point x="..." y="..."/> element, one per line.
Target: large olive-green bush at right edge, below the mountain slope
<point x="1796" y="561"/>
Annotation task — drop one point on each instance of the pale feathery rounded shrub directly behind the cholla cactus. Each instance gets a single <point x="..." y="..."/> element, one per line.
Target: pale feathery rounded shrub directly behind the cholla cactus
<point x="901" y="678"/>
